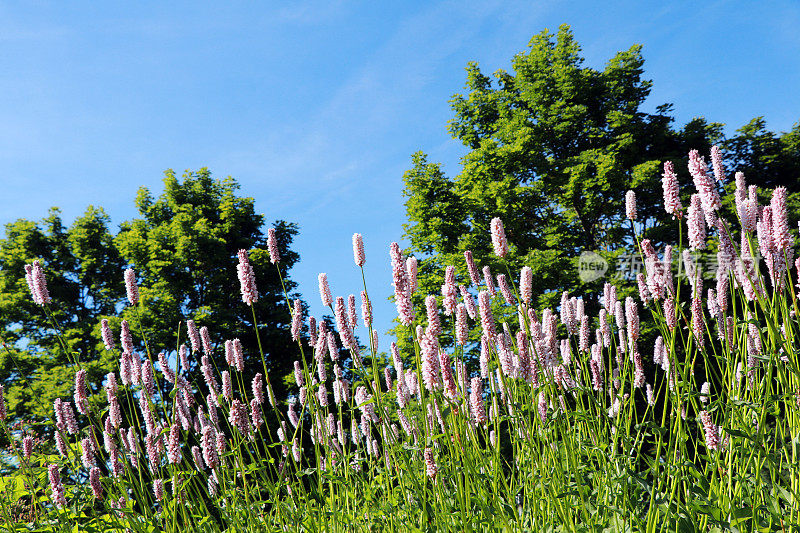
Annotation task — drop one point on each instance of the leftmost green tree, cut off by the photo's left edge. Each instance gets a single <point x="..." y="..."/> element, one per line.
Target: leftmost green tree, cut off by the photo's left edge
<point x="83" y="273"/>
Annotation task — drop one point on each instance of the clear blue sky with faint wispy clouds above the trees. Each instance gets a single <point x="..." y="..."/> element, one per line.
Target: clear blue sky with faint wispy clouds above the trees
<point x="316" y="107"/>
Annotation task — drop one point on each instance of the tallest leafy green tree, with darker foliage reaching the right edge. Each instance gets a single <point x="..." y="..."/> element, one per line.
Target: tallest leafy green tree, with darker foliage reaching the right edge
<point x="553" y="147"/>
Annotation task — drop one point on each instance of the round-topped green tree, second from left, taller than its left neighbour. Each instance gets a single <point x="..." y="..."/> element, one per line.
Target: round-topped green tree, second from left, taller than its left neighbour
<point x="184" y="250"/>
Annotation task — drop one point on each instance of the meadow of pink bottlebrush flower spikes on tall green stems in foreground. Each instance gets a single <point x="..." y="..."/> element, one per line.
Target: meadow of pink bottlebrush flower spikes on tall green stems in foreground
<point x="565" y="421"/>
